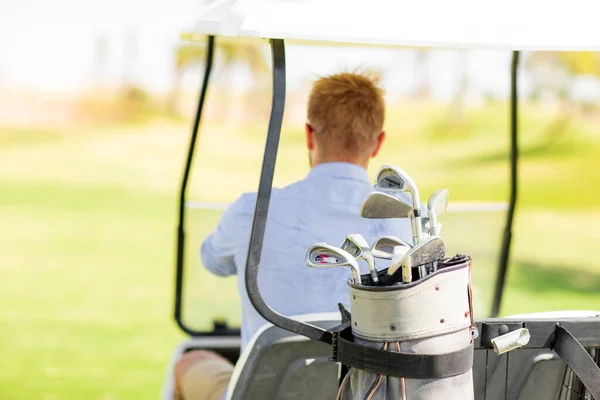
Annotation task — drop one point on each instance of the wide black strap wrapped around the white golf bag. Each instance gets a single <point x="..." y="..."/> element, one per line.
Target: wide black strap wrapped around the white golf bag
<point x="402" y="365"/>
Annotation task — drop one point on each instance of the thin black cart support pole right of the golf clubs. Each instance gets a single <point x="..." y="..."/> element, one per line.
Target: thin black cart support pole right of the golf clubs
<point x="514" y="155"/>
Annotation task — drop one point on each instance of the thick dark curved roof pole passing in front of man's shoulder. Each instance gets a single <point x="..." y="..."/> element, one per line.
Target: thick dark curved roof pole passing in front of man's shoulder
<point x="262" y="206"/>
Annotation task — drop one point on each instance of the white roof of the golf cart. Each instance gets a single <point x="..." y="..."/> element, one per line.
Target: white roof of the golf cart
<point x="474" y="24"/>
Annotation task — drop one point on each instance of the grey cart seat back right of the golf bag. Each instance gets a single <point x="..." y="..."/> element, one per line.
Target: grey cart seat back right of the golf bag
<point x="532" y="373"/>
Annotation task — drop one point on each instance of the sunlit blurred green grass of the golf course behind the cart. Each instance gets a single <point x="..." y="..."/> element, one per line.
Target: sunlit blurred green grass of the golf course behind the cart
<point x="88" y="217"/>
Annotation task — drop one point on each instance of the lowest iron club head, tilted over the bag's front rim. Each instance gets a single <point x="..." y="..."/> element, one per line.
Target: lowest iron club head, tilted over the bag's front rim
<point x="429" y="250"/>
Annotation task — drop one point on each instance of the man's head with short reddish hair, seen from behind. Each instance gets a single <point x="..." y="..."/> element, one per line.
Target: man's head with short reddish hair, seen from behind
<point x="345" y="119"/>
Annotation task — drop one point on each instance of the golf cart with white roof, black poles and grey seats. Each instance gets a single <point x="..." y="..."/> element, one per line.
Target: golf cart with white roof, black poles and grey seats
<point x="301" y="357"/>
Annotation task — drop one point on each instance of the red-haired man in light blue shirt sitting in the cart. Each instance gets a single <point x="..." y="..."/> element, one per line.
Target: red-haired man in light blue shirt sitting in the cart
<point x="344" y="131"/>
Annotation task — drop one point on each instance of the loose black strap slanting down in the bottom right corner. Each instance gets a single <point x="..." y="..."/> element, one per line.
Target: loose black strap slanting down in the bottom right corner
<point x="578" y="359"/>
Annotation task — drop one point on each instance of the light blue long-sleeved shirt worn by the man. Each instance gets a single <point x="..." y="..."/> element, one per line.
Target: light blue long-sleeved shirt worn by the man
<point x="323" y="207"/>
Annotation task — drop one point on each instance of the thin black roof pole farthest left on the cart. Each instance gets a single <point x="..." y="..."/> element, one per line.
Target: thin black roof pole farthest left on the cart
<point x="186" y="174"/>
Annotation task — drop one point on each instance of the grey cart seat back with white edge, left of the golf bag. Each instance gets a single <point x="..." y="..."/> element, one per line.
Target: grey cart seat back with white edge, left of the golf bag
<point x="278" y="364"/>
